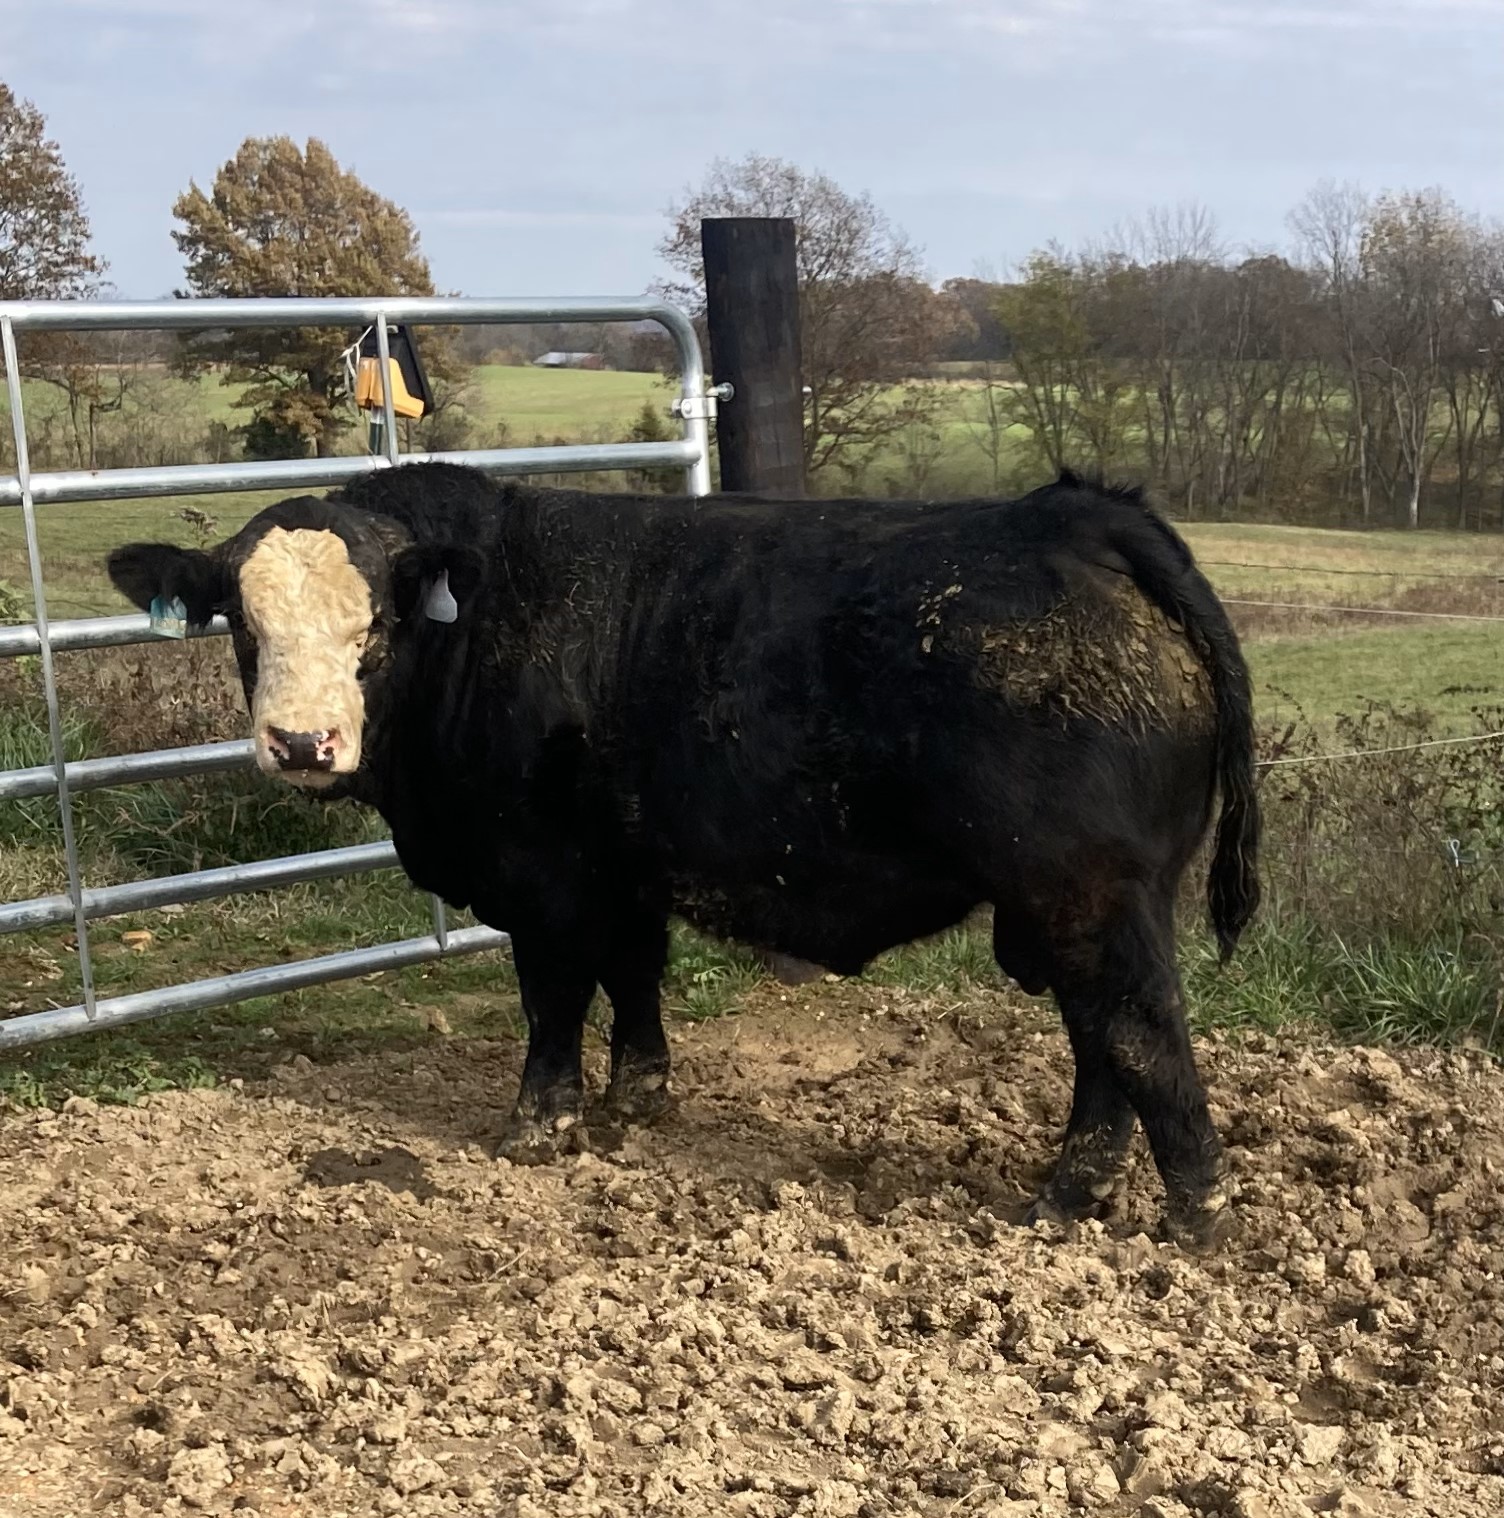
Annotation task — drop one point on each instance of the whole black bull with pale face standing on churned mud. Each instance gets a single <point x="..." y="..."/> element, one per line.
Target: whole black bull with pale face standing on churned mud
<point x="822" y="729"/>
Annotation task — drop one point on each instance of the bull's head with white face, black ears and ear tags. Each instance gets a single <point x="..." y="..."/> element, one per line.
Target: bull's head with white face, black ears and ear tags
<point x="319" y="597"/>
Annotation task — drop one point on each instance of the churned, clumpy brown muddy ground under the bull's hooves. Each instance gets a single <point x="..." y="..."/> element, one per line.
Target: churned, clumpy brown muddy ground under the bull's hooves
<point x="805" y="1293"/>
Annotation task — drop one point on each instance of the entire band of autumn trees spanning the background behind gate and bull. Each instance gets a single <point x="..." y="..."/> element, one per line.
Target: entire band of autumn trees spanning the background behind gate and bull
<point x="1355" y="377"/>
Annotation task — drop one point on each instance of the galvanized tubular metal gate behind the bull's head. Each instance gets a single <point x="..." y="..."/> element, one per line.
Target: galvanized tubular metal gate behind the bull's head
<point x="83" y="905"/>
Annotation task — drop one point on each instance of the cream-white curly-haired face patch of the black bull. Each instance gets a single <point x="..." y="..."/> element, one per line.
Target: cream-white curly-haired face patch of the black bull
<point x="309" y="613"/>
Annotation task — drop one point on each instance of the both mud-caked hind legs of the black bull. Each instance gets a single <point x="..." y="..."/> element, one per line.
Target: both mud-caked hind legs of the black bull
<point x="1121" y="997"/>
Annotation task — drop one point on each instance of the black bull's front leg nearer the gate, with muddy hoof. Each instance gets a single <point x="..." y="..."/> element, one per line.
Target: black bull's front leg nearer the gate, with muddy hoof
<point x="556" y="998"/>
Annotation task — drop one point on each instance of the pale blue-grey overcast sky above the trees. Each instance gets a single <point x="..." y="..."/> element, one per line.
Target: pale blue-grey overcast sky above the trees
<point x="538" y="142"/>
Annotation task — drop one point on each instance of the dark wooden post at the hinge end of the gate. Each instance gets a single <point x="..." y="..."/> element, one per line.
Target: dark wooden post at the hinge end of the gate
<point x="752" y="310"/>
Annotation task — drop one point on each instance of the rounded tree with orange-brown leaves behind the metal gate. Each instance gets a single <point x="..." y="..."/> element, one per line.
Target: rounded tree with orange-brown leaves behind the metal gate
<point x="289" y="222"/>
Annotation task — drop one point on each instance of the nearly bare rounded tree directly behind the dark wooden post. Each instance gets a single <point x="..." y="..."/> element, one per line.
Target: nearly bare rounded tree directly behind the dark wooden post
<point x="870" y="321"/>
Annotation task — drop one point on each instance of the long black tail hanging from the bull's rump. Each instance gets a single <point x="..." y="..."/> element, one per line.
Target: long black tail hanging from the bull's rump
<point x="1166" y="573"/>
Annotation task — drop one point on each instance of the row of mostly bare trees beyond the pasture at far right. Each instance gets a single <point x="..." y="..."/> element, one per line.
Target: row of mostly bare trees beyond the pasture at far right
<point x="1358" y="379"/>
